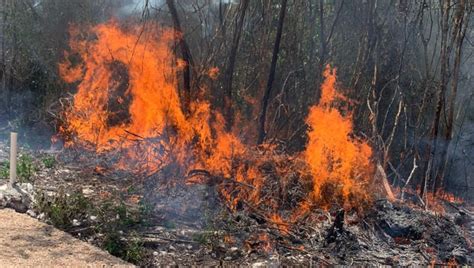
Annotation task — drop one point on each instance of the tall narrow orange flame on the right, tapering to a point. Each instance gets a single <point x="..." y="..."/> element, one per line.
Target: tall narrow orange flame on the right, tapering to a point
<point x="340" y="164"/>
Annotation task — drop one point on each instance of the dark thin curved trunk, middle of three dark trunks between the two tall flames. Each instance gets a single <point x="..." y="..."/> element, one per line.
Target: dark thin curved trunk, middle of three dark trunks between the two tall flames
<point x="229" y="73"/>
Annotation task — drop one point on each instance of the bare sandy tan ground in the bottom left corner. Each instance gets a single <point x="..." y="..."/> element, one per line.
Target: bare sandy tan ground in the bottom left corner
<point x="26" y="242"/>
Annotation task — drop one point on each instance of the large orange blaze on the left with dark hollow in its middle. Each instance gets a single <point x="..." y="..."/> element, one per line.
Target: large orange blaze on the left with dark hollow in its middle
<point x="127" y="93"/>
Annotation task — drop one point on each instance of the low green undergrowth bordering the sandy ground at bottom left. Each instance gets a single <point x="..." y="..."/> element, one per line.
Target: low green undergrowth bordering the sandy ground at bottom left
<point x="113" y="228"/>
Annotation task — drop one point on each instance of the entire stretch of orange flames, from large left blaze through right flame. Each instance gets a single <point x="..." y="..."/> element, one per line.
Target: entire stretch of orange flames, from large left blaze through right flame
<point x="127" y="102"/>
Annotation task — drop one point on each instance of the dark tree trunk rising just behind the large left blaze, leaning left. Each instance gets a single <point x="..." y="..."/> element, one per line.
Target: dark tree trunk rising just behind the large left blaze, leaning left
<point x="186" y="54"/>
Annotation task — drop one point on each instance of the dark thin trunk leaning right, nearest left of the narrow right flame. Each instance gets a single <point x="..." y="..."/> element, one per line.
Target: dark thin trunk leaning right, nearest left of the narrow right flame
<point x="271" y="76"/>
